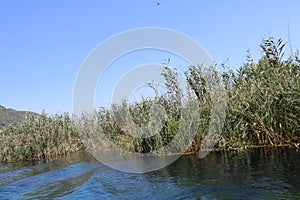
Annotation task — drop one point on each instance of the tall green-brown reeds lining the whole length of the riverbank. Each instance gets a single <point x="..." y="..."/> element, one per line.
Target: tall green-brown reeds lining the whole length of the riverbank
<point x="263" y="108"/>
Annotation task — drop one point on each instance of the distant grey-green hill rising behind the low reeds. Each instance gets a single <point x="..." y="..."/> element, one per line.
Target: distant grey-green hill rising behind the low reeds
<point x="10" y="116"/>
